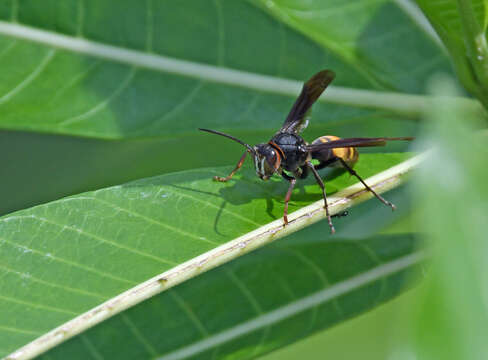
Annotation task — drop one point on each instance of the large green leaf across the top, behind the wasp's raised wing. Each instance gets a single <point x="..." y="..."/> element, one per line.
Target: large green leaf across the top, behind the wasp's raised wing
<point x="118" y="69"/>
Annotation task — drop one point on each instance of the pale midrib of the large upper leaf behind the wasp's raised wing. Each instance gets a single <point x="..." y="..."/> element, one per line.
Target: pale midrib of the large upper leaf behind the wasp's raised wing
<point x="406" y="104"/>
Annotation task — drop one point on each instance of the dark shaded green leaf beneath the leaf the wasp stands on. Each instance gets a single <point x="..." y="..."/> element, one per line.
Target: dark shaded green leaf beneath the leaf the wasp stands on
<point x="258" y="303"/>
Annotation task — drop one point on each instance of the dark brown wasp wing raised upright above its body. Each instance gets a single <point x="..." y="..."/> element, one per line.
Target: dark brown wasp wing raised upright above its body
<point x="298" y="117"/>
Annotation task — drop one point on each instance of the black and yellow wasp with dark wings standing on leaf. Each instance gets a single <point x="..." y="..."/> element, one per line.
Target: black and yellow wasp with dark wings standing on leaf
<point x="290" y="156"/>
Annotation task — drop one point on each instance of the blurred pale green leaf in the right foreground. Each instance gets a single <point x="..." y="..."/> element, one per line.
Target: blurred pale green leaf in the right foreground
<point x="452" y="195"/>
